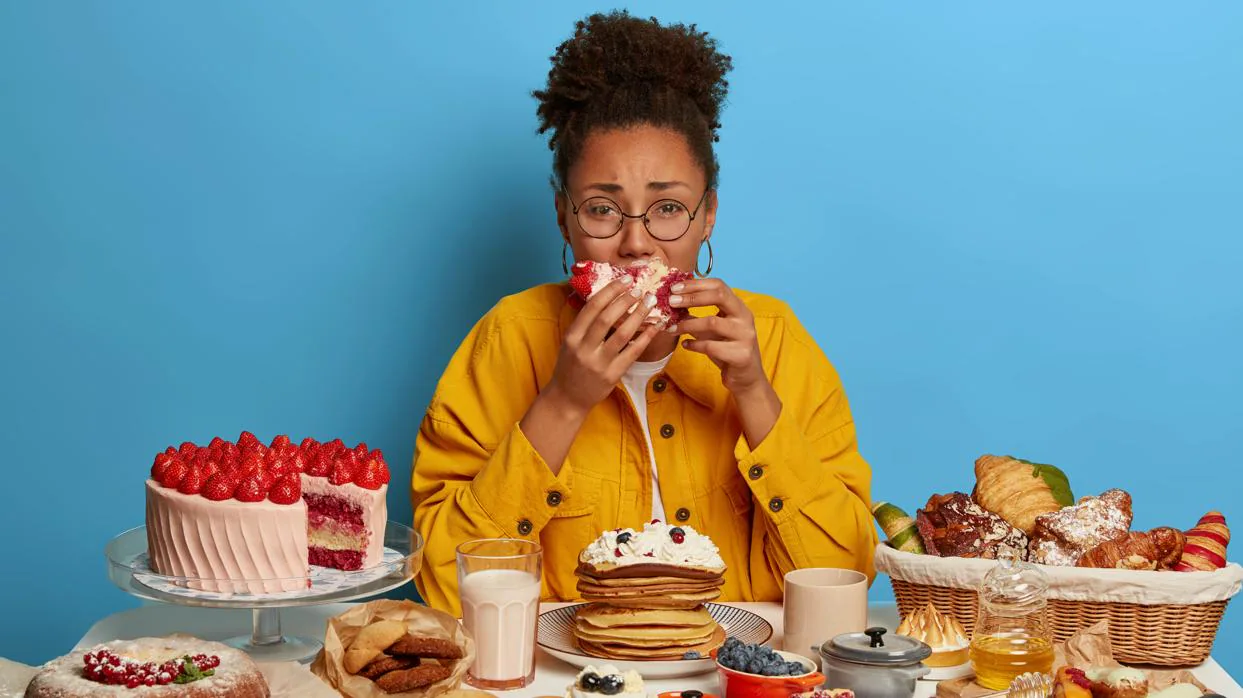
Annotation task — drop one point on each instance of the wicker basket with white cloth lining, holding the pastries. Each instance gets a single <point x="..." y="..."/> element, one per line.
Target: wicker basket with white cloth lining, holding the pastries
<point x="1163" y="634"/>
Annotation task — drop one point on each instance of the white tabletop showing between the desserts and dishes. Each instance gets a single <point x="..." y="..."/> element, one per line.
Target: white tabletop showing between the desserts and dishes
<point x="553" y="676"/>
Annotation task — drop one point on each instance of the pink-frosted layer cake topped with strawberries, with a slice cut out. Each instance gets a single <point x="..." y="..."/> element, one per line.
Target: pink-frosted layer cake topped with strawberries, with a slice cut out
<point x="252" y="519"/>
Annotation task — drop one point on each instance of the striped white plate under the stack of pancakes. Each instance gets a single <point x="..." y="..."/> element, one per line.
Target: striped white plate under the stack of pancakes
<point x="556" y="638"/>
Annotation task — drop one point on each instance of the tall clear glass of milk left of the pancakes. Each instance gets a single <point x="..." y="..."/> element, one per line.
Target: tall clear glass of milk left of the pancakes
<point x="499" y="583"/>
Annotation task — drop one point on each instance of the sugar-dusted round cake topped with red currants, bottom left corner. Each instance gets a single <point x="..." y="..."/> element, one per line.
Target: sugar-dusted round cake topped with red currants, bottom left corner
<point x="154" y="668"/>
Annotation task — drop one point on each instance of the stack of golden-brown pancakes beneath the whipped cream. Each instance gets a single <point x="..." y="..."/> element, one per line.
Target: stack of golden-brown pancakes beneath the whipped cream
<point x="647" y="610"/>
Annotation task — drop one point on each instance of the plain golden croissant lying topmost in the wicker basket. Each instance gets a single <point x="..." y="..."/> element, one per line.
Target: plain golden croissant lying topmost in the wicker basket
<point x="1019" y="491"/>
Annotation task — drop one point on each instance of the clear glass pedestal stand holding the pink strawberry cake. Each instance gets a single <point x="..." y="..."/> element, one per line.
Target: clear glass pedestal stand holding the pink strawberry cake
<point x="130" y="569"/>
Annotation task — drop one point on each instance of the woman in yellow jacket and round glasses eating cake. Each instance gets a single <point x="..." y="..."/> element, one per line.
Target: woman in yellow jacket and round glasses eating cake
<point x="555" y="424"/>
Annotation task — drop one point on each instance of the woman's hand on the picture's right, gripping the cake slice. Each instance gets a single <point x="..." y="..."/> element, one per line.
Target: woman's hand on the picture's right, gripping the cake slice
<point x="729" y="338"/>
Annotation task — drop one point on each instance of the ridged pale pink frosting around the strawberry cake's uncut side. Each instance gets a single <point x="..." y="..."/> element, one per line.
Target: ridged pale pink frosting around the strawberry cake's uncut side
<point x="260" y="547"/>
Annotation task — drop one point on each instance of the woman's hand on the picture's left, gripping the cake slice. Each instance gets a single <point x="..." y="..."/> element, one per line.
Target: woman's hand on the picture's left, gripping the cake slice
<point x="601" y="345"/>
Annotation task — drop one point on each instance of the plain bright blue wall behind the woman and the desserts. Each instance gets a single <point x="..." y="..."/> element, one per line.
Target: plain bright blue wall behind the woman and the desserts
<point x="1012" y="229"/>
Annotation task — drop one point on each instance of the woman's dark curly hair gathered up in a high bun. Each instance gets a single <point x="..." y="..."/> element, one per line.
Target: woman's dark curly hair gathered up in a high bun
<point x="618" y="71"/>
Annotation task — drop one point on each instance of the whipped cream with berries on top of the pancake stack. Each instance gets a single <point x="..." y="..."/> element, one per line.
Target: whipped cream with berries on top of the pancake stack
<point x="656" y="543"/>
